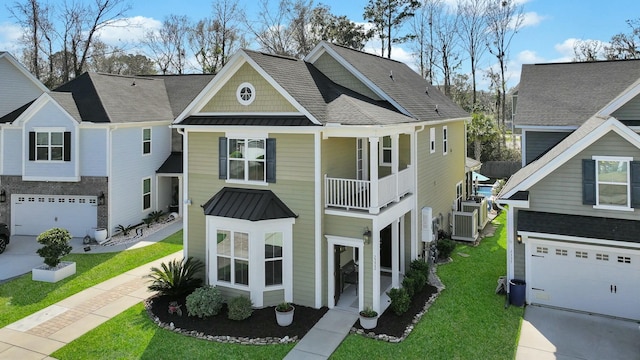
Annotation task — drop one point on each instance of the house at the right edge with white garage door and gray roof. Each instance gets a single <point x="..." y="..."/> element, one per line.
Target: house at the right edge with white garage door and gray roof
<point x="573" y="213"/>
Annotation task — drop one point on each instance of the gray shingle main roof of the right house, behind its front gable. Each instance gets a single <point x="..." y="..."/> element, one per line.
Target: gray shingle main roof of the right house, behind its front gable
<point x="566" y="94"/>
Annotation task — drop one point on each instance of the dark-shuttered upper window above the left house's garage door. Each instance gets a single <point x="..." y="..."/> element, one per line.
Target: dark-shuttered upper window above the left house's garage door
<point x="49" y="146"/>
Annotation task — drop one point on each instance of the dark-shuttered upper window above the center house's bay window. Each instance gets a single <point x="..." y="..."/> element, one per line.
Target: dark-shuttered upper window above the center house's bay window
<point x="247" y="159"/>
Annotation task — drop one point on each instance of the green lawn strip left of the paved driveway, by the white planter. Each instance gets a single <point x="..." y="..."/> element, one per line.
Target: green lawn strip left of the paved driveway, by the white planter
<point x="21" y="296"/>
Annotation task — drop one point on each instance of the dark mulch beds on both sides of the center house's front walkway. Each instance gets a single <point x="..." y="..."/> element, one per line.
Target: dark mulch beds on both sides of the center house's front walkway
<point x="262" y="323"/>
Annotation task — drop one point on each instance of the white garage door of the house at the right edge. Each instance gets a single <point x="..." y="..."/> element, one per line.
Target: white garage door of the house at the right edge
<point x="582" y="277"/>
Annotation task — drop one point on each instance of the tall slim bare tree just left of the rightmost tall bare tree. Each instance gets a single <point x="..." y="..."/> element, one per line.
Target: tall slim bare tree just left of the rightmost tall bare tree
<point x="473" y="35"/>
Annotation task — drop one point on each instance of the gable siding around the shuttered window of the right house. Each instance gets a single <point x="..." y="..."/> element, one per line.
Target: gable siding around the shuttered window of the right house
<point x="561" y="191"/>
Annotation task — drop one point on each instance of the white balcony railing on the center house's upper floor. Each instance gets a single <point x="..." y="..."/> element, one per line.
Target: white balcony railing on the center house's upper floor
<point x="369" y="195"/>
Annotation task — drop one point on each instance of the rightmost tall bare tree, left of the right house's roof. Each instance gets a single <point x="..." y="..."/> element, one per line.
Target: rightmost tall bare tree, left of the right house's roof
<point x="504" y="19"/>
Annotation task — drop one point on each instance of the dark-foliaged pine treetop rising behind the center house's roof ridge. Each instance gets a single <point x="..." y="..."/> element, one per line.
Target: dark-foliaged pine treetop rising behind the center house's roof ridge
<point x="387" y="17"/>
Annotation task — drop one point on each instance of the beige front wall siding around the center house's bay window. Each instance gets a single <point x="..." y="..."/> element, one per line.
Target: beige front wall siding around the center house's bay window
<point x="294" y="186"/>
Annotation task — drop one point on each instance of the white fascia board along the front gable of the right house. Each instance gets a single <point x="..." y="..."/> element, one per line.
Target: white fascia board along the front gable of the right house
<point x="610" y="125"/>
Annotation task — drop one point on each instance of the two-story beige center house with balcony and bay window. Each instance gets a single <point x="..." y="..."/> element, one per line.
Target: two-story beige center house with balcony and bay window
<point x="298" y="172"/>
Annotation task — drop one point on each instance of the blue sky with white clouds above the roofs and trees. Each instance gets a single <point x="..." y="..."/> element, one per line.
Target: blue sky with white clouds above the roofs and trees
<point x="548" y="34"/>
